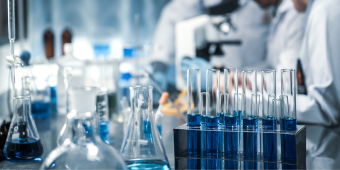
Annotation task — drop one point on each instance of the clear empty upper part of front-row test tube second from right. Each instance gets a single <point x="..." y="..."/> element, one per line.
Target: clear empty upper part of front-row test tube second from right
<point x="268" y="87"/>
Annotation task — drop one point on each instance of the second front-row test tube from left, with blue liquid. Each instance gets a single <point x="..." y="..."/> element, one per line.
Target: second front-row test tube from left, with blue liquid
<point x="214" y="138"/>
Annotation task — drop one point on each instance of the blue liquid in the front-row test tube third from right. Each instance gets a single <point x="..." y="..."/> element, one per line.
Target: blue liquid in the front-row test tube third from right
<point x="250" y="141"/>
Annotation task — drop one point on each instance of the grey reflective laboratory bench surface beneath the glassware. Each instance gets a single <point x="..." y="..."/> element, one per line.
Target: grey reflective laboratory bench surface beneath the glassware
<point x="322" y="143"/>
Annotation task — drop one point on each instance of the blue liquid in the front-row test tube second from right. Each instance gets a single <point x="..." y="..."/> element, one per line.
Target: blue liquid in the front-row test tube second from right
<point x="270" y="142"/>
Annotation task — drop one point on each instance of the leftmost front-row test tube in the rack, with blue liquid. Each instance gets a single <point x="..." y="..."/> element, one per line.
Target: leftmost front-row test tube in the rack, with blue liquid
<point x="194" y="118"/>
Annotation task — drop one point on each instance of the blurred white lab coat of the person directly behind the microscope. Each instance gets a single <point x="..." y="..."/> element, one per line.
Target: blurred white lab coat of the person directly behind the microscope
<point x="247" y="19"/>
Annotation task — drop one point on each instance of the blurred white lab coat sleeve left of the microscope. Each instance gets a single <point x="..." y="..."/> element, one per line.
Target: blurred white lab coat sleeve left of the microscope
<point x="173" y="12"/>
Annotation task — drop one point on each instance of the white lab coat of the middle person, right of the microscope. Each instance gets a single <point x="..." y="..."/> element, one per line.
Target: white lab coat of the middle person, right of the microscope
<point x="284" y="39"/>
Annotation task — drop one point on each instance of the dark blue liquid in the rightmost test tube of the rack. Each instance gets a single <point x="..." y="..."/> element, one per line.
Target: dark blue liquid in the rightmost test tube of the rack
<point x="288" y="147"/>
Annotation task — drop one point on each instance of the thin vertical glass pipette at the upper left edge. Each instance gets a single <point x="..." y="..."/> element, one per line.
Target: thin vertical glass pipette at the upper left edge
<point x="12" y="59"/>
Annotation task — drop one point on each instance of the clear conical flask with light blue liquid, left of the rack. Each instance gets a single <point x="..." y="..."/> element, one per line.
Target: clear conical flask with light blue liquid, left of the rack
<point x="142" y="147"/>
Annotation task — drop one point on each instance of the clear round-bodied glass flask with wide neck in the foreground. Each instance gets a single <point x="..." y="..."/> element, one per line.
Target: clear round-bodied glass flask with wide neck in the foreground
<point x="90" y="152"/>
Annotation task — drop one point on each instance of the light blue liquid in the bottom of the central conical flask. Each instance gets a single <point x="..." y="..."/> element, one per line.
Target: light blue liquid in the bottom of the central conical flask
<point x="147" y="165"/>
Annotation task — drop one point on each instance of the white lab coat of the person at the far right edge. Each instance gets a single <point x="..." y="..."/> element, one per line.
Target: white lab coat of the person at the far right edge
<point x="320" y="58"/>
